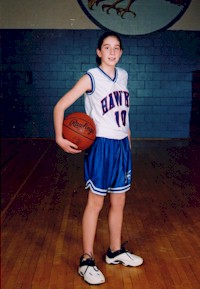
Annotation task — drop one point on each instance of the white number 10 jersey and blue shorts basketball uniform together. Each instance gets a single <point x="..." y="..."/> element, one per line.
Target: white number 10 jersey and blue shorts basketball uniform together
<point x="108" y="162"/>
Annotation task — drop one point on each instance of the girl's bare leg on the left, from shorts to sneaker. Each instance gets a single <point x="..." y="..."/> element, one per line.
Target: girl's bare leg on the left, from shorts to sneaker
<point x="89" y="222"/>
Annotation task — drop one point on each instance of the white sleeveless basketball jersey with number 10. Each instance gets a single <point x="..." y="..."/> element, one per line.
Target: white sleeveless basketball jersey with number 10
<point x="108" y="103"/>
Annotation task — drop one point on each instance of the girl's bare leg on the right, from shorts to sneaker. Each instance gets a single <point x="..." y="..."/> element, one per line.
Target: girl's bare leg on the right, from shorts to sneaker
<point x="115" y="219"/>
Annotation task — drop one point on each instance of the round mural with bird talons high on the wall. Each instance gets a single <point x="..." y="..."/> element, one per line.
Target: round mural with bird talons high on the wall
<point x="134" y="17"/>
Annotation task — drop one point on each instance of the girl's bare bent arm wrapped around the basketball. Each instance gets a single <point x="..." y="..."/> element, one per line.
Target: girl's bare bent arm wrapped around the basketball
<point x="83" y="85"/>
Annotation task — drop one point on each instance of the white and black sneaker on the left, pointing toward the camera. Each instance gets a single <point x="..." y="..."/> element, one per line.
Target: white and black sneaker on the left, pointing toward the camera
<point x="89" y="271"/>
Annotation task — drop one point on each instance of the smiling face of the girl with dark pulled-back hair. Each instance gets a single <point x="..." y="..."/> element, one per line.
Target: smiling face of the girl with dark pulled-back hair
<point x="110" y="51"/>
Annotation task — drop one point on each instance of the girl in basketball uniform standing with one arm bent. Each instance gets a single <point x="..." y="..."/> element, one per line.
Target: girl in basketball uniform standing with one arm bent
<point x="107" y="163"/>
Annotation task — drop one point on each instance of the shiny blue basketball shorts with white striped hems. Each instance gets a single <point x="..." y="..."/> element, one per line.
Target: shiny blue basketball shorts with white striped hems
<point x="108" y="166"/>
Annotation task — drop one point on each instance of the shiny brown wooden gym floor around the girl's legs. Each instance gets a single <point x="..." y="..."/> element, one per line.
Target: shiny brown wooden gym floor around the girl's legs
<point x="43" y="199"/>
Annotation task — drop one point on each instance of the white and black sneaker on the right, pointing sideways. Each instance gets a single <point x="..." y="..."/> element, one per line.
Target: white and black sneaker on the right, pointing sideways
<point x="124" y="257"/>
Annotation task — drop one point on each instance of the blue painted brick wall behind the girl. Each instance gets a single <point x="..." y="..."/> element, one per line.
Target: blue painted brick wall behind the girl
<point x="39" y="66"/>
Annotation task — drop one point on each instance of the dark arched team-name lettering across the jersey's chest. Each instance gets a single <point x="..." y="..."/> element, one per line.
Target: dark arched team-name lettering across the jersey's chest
<point x="116" y="98"/>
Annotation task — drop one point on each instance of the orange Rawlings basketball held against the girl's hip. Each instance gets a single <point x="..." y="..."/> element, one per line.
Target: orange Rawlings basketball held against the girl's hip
<point x="80" y="129"/>
